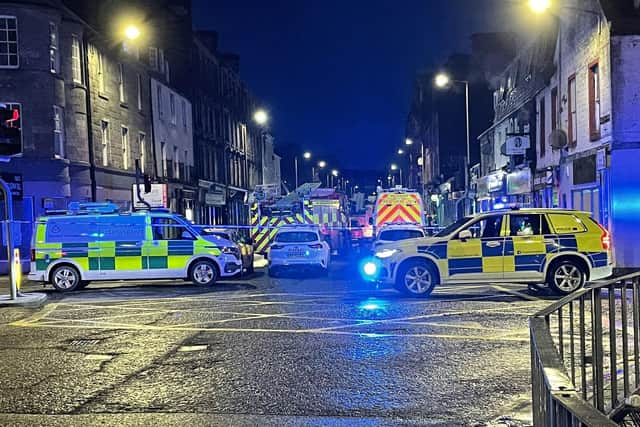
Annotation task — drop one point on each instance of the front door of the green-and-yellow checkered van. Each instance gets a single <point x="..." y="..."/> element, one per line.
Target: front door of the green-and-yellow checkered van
<point x="170" y="248"/>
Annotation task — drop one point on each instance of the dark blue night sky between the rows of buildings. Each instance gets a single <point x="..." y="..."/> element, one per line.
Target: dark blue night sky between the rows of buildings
<point x="337" y="75"/>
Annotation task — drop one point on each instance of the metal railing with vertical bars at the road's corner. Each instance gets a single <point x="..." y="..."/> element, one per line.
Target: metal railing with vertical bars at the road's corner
<point x="585" y="357"/>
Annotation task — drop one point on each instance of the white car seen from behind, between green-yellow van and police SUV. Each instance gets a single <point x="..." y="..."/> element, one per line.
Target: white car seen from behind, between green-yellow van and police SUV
<point x="298" y="247"/>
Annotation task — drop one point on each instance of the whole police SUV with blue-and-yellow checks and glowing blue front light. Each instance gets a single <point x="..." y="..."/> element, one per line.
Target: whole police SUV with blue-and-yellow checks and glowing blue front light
<point x="561" y="248"/>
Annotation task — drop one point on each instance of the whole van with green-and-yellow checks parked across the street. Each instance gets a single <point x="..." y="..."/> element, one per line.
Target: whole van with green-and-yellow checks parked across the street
<point x="93" y="241"/>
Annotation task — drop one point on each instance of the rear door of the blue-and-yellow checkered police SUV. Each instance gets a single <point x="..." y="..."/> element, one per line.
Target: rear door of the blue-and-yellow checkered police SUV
<point x="526" y="246"/>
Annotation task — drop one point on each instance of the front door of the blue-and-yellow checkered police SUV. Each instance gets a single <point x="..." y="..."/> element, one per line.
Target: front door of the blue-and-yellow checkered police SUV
<point x="478" y="258"/>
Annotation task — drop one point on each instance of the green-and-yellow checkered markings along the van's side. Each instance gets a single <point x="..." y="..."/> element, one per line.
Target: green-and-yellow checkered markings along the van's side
<point x="134" y="256"/>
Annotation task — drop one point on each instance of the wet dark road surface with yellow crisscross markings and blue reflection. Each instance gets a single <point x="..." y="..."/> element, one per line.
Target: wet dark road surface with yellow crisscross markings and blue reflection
<point x="297" y="350"/>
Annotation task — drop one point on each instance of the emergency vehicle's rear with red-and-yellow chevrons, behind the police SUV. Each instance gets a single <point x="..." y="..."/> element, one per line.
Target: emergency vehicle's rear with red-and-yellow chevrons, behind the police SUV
<point x="398" y="205"/>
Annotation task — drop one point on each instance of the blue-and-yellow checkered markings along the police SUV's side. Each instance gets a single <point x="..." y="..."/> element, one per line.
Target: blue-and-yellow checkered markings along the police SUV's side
<point x="511" y="254"/>
